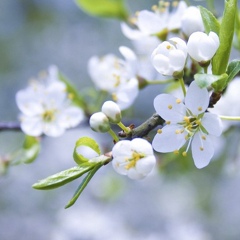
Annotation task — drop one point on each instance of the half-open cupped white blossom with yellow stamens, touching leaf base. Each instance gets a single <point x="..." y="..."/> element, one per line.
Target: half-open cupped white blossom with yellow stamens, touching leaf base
<point x="133" y="158"/>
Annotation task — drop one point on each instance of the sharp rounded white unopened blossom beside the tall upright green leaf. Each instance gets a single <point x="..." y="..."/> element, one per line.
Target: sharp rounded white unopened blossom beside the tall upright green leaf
<point x="202" y="47"/>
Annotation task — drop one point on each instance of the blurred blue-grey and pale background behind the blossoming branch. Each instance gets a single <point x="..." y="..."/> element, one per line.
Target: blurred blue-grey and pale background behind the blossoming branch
<point x="171" y="204"/>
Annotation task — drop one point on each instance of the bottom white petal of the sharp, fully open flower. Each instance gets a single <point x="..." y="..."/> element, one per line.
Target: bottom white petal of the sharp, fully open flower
<point x="202" y="150"/>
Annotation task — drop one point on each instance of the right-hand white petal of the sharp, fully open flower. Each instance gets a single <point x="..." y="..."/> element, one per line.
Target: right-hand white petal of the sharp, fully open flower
<point x="212" y="123"/>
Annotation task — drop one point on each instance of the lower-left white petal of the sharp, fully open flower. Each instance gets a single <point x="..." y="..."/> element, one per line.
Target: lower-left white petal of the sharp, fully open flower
<point x="168" y="140"/>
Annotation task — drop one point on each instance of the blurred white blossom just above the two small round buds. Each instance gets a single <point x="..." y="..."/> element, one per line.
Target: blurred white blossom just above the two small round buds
<point x="116" y="76"/>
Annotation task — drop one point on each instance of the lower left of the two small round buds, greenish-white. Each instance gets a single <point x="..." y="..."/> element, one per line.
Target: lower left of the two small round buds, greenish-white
<point x="99" y="122"/>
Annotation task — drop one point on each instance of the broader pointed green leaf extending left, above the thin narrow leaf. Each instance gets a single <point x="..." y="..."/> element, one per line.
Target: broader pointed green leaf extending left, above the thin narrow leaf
<point x="63" y="177"/>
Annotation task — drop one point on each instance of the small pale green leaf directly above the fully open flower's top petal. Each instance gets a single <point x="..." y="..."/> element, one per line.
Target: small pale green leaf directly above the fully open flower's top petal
<point x="204" y="80"/>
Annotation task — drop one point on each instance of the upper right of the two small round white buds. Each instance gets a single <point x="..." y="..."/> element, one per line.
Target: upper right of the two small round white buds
<point x="112" y="111"/>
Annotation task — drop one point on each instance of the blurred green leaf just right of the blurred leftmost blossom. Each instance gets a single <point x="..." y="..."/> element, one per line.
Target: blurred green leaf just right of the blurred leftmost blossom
<point x="73" y="93"/>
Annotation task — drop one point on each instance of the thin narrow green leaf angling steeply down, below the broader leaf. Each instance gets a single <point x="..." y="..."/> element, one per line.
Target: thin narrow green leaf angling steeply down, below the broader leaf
<point x="83" y="184"/>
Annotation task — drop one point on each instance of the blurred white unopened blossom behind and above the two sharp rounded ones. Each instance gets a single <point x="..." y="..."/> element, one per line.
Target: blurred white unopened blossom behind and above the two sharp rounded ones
<point x="191" y="21"/>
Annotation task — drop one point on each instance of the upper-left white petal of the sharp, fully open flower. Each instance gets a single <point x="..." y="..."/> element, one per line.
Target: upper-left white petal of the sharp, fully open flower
<point x="167" y="107"/>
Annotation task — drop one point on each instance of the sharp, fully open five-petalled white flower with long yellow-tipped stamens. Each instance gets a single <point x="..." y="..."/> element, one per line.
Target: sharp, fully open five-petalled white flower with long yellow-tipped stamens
<point x="189" y="122"/>
